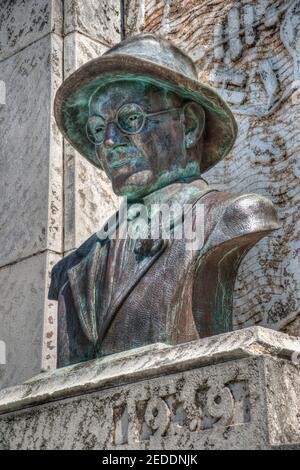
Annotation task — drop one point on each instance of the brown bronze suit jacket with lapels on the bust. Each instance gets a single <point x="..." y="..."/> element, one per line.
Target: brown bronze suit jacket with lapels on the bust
<point x="116" y="294"/>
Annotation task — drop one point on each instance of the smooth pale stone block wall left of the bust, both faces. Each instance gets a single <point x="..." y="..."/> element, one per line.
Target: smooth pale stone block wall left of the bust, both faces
<point x="51" y="200"/>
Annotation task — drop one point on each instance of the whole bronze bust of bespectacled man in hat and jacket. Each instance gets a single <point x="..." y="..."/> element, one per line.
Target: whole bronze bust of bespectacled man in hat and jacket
<point x="139" y="113"/>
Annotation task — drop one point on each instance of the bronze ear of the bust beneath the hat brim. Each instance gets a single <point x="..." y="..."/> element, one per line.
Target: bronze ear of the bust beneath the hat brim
<point x="194" y="122"/>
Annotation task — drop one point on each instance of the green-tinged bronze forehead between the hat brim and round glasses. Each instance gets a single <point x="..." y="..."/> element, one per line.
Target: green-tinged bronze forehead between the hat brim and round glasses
<point x="109" y="98"/>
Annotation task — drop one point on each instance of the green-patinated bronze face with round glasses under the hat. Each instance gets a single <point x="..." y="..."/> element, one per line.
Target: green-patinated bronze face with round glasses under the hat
<point x="138" y="163"/>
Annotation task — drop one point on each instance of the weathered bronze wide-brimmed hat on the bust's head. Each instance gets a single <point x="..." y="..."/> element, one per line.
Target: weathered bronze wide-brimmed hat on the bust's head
<point x="153" y="59"/>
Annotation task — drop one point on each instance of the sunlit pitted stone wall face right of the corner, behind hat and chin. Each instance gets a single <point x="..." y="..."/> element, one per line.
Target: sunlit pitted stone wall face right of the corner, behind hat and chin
<point x="91" y="27"/>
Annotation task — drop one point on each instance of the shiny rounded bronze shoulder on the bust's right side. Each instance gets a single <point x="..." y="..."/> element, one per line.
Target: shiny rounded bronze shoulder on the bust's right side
<point x="238" y="215"/>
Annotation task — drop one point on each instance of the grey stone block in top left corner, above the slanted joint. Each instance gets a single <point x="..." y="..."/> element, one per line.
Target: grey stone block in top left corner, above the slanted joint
<point x="22" y="23"/>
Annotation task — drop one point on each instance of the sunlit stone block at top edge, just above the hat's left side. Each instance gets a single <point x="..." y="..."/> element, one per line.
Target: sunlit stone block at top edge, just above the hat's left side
<point x="97" y="20"/>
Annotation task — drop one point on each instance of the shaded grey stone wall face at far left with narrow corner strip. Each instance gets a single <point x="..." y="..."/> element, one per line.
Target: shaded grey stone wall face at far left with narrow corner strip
<point x="31" y="191"/>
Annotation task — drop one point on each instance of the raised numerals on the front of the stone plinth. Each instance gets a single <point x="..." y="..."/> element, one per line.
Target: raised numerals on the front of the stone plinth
<point x="197" y="407"/>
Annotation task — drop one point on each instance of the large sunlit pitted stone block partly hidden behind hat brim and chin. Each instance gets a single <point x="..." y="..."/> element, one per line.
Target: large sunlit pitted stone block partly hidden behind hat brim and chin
<point x="89" y="199"/>
